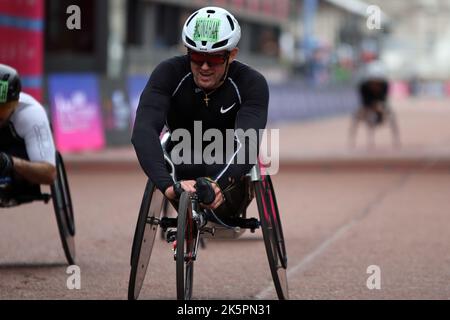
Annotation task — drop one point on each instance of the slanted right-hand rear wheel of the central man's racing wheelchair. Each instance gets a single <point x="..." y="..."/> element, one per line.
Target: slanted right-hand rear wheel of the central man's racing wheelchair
<point x="273" y="235"/>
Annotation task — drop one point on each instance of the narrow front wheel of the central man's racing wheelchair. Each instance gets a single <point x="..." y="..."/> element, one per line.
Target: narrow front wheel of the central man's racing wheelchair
<point x="186" y="238"/>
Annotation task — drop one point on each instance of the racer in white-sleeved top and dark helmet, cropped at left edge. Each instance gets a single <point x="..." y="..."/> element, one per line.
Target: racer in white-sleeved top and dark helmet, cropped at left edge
<point x="27" y="151"/>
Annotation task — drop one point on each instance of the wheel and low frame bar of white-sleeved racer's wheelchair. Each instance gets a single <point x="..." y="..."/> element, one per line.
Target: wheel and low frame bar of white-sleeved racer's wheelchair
<point x="62" y="205"/>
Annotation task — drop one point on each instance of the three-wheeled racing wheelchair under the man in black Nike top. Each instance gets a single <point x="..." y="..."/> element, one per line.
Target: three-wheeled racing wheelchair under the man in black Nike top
<point x="194" y="223"/>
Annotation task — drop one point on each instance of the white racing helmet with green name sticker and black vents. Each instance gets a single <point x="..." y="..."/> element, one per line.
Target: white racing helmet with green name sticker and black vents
<point x="211" y="29"/>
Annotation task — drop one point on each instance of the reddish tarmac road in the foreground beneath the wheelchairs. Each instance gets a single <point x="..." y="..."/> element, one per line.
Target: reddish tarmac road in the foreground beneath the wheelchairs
<point x="337" y="223"/>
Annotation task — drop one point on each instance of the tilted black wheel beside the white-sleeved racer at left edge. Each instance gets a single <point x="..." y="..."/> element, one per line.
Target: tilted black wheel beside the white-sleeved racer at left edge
<point x="62" y="203"/>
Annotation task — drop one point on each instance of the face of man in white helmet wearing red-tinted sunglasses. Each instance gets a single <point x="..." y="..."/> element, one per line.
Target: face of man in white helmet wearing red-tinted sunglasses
<point x="208" y="69"/>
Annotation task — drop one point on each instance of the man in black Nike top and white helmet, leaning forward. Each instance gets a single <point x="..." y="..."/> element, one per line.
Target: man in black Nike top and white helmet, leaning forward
<point x="209" y="85"/>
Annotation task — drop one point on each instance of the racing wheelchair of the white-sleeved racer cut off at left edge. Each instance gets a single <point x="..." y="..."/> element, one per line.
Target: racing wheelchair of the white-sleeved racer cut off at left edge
<point x="62" y="204"/>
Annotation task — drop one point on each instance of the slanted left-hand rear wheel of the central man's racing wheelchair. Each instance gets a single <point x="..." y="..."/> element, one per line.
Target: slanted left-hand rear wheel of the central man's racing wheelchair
<point x="144" y="238"/>
